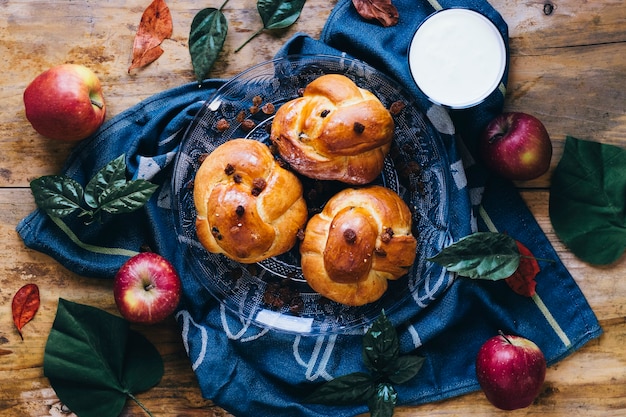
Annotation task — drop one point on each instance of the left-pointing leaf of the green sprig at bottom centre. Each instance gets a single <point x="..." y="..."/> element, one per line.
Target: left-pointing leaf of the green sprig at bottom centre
<point x="349" y="389"/>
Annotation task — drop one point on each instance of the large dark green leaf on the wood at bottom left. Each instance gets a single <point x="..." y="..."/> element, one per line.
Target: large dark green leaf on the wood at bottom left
<point x="95" y="362"/>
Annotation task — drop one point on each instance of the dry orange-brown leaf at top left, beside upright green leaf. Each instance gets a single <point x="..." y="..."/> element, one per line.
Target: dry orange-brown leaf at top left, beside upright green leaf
<point x="155" y="26"/>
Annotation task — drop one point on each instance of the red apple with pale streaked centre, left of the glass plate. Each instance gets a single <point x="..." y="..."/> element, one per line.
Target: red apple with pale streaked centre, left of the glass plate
<point x="146" y="288"/>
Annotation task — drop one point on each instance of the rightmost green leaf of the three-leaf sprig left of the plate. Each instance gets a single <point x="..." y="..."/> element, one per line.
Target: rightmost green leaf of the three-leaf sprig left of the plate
<point x="126" y="197"/>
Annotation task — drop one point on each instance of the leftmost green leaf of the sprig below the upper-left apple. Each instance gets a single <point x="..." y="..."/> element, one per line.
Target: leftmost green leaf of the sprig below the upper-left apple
<point x="57" y="195"/>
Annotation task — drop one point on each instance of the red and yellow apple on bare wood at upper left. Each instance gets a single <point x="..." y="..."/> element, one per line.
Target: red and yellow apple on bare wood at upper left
<point x="65" y="103"/>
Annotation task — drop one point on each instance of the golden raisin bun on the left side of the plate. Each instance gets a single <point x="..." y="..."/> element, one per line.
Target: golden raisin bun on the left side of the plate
<point x="248" y="207"/>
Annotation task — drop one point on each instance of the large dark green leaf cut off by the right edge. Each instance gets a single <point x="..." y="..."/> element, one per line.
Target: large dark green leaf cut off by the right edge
<point x="588" y="200"/>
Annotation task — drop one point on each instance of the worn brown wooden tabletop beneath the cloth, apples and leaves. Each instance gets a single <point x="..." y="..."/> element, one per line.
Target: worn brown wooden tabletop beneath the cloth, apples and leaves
<point x="568" y="68"/>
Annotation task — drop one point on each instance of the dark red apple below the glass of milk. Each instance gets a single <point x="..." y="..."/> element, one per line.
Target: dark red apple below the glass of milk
<point x="516" y="146"/>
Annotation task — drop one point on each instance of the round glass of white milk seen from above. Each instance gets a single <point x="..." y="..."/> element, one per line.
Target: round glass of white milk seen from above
<point x="457" y="58"/>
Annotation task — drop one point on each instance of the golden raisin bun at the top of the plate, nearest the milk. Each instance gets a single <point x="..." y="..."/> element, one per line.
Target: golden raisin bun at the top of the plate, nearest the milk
<point x="335" y="131"/>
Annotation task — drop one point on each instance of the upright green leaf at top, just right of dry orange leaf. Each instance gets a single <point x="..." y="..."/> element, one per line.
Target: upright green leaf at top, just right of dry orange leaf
<point x="206" y="40"/>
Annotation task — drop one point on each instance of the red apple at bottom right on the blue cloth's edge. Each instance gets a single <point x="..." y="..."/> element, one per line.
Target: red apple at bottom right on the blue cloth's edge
<point x="510" y="371"/>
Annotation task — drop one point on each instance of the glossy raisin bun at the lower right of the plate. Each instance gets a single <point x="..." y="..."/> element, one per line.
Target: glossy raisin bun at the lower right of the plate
<point x="360" y="240"/>
